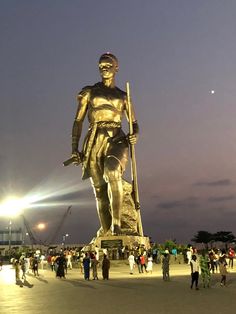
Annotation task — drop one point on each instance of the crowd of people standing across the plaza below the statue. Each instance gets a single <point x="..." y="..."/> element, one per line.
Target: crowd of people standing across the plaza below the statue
<point x="203" y="264"/>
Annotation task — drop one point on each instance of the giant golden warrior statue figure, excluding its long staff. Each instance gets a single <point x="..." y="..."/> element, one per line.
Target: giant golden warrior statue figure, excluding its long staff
<point x="105" y="149"/>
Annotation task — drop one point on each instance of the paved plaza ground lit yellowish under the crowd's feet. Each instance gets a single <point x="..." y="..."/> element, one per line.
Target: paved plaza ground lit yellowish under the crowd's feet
<point x="123" y="293"/>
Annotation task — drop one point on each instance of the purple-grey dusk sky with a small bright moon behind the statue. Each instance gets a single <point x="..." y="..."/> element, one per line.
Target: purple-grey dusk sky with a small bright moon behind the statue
<point x="179" y="57"/>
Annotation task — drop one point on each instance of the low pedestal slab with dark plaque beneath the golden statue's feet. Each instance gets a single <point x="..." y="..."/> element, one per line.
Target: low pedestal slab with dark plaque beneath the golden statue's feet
<point x="119" y="241"/>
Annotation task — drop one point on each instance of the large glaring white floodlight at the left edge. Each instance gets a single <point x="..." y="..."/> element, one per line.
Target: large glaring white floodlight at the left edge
<point x="11" y="207"/>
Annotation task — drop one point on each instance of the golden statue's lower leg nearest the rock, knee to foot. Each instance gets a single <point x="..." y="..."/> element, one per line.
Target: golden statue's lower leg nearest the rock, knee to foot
<point x="113" y="177"/>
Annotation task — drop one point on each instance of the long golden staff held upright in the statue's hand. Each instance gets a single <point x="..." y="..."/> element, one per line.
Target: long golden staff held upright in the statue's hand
<point x="133" y="163"/>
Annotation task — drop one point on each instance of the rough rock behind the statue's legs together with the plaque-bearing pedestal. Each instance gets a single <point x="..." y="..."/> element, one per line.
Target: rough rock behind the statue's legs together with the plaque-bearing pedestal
<point x="130" y="236"/>
